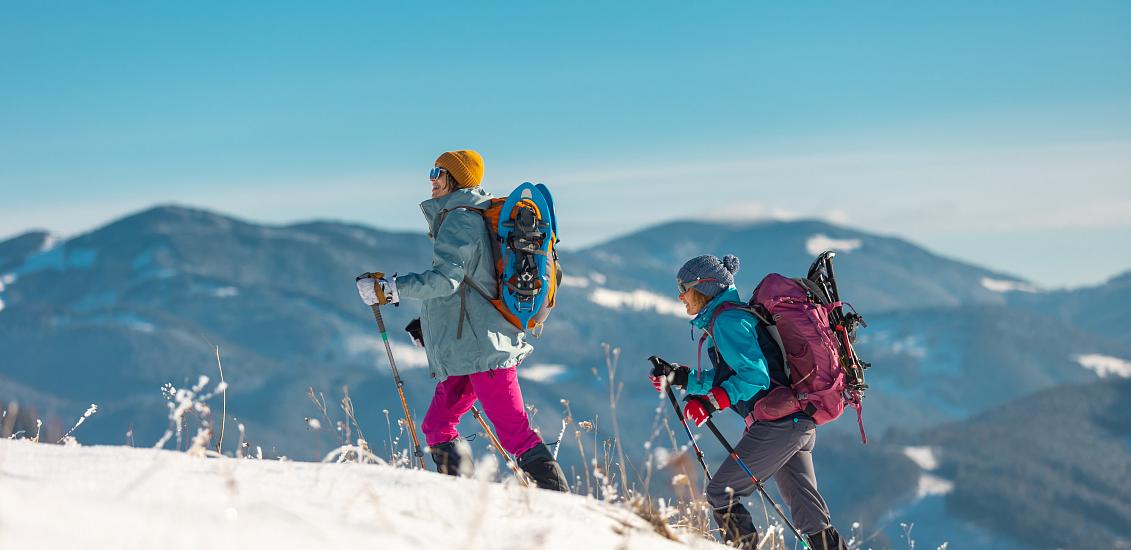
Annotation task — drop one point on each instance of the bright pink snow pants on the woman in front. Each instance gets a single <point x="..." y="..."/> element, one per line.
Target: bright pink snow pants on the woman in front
<point x="503" y="402"/>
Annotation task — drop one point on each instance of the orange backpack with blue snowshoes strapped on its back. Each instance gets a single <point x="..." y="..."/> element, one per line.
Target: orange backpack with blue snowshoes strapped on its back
<point x="523" y="233"/>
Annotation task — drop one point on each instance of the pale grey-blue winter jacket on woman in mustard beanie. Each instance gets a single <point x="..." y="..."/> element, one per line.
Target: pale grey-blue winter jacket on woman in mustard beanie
<point x="484" y="340"/>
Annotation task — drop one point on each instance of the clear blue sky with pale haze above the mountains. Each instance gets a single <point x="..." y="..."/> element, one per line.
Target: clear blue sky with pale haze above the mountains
<point x="998" y="133"/>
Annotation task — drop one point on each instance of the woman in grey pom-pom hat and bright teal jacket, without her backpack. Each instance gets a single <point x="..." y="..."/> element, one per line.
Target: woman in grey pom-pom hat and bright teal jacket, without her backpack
<point x="741" y="375"/>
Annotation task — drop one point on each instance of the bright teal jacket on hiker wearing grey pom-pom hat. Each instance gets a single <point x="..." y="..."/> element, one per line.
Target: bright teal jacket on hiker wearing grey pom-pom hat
<point x="736" y="340"/>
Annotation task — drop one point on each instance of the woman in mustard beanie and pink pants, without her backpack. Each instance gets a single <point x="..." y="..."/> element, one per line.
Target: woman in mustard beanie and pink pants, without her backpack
<point x="472" y="349"/>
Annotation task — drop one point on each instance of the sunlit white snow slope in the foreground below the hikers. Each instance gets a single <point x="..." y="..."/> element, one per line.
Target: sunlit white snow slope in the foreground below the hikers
<point x="103" y="499"/>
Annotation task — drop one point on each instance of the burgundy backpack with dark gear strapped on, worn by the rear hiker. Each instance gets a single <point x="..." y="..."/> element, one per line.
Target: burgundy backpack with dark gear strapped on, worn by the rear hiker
<point x="816" y="338"/>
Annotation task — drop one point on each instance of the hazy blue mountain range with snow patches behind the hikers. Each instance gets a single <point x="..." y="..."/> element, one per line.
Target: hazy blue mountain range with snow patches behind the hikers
<point x="110" y="316"/>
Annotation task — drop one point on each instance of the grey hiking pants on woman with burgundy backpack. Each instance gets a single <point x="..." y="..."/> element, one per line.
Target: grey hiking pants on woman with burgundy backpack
<point x="782" y="450"/>
